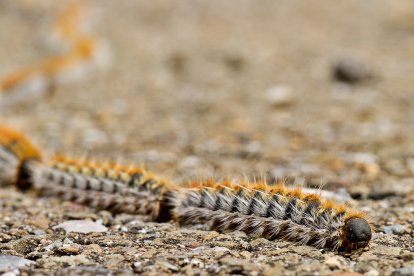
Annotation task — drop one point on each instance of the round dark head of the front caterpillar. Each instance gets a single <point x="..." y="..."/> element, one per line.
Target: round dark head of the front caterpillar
<point x="357" y="233"/>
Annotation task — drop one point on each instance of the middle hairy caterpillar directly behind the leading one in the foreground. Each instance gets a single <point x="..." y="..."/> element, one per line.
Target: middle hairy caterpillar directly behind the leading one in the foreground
<point x="102" y="185"/>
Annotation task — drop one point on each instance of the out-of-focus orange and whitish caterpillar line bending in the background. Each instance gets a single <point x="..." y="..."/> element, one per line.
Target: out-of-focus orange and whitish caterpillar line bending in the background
<point x="83" y="53"/>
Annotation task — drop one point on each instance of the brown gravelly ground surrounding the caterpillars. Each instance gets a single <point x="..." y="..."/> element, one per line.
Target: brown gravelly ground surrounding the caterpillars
<point x="312" y="92"/>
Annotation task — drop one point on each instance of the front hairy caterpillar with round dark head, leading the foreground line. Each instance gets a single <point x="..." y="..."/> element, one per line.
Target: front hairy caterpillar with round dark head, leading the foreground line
<point x="273" y="212"/>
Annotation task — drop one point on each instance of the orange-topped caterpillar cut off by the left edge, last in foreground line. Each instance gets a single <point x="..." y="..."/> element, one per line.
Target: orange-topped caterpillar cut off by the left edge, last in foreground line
<point x="17" y="154"/>
